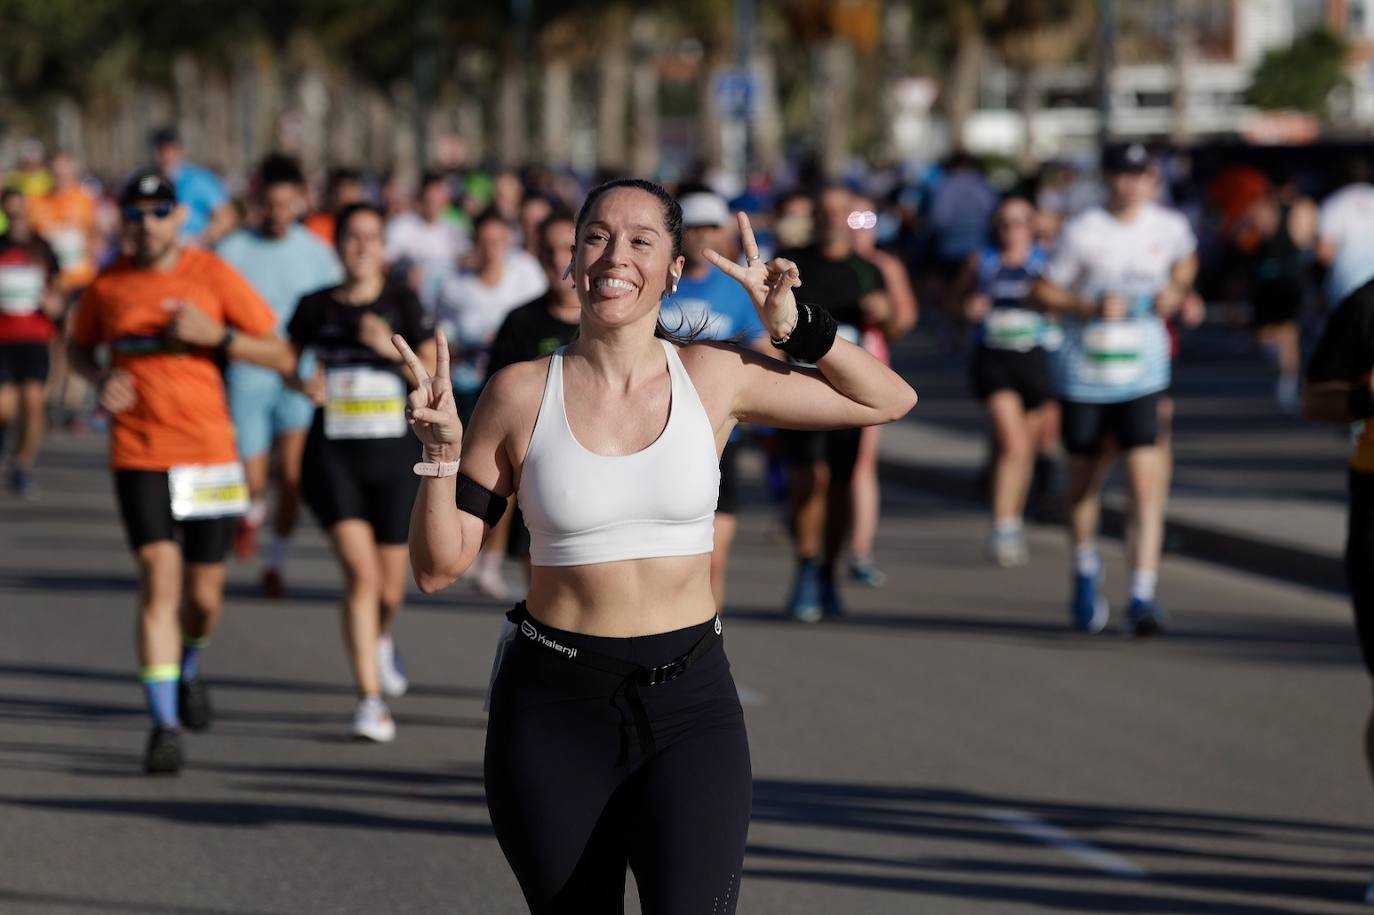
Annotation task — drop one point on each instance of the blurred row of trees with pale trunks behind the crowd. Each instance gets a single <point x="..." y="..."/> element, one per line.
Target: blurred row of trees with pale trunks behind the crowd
<point x="612" y="86"/>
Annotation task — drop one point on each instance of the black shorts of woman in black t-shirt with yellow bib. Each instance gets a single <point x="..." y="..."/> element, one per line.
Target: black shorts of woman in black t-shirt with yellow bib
<point x="372" y="480"/>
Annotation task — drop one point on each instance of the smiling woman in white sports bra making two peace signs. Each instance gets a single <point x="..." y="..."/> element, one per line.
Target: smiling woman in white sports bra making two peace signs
<point x="616" y="736"/>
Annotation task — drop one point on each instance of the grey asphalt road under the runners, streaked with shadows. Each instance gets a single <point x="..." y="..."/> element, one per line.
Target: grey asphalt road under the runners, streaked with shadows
<point x="947" y="748"/>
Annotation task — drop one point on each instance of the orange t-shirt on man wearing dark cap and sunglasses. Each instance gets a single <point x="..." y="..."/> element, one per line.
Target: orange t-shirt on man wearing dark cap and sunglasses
<point x="182" y="416"/>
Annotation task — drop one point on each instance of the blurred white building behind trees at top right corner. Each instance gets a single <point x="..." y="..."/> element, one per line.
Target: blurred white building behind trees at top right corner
<point x="1182" y="74"/>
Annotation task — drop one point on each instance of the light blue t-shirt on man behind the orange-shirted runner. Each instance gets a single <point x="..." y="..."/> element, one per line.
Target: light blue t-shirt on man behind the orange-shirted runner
<point x="282" y="270"/>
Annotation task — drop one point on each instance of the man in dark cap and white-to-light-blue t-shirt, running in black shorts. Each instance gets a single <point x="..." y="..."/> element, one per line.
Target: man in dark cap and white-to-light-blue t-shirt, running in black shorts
<point x="1118" y="274"/>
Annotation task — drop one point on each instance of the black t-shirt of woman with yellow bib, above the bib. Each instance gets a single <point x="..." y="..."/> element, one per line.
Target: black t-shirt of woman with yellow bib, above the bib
<point x="330" y="328"/>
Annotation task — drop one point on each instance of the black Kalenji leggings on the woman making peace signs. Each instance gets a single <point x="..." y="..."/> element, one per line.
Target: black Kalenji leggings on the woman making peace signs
<point x="575" y="800"/>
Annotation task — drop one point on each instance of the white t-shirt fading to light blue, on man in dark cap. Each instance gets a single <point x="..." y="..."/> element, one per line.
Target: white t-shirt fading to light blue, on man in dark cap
<point x="1100" y="255"/>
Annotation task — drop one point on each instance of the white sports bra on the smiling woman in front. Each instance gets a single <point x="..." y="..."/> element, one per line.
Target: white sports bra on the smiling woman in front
<point x="583" y="508"/>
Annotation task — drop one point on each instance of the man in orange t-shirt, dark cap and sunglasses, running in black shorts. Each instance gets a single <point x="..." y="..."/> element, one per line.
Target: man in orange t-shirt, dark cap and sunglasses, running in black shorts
<point x="171" y="315"/>
